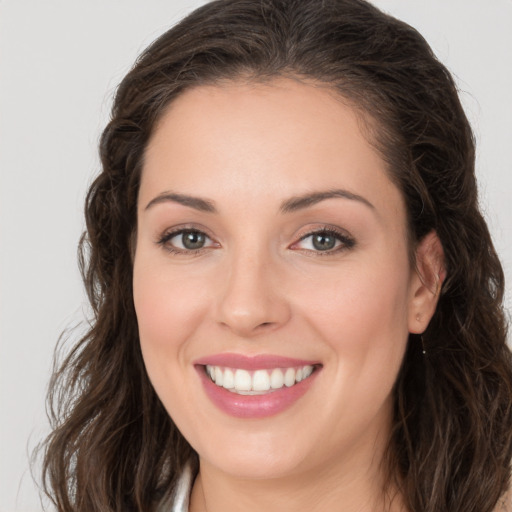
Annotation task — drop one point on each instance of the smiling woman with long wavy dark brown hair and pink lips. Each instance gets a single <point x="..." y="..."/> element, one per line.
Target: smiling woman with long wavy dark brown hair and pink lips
<point x="297" y="301"/>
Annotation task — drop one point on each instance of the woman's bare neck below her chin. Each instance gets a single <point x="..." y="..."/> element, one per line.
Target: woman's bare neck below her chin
<point x="351" y="486"/>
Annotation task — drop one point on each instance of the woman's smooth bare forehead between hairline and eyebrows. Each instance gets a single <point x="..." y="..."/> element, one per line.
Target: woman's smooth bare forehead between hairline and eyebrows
<point x="261" y="140"/>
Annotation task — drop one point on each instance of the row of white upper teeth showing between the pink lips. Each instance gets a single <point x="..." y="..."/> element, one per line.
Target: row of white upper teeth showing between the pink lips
<point x="245" y="382"/>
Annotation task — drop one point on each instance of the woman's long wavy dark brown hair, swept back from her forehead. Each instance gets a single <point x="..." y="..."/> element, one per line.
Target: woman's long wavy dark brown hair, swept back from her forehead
<point x="114" y="447"/>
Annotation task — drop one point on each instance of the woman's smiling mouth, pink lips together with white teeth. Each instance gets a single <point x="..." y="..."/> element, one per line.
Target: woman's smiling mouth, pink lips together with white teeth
<point x="255" y="387"/>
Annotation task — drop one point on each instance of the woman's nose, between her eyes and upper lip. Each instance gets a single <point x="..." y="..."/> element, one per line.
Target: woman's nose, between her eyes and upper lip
<point x="252" y="300"/>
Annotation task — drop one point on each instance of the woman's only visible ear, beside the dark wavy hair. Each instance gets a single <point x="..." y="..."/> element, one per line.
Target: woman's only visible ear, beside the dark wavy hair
<point x="426" y="282"/>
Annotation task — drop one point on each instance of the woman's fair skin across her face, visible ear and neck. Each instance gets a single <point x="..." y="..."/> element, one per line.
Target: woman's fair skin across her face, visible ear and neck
<point x="260" y="287"/>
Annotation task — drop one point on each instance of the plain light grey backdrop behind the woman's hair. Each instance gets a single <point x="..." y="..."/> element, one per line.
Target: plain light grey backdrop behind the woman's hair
<point x="60" y="61"/>
